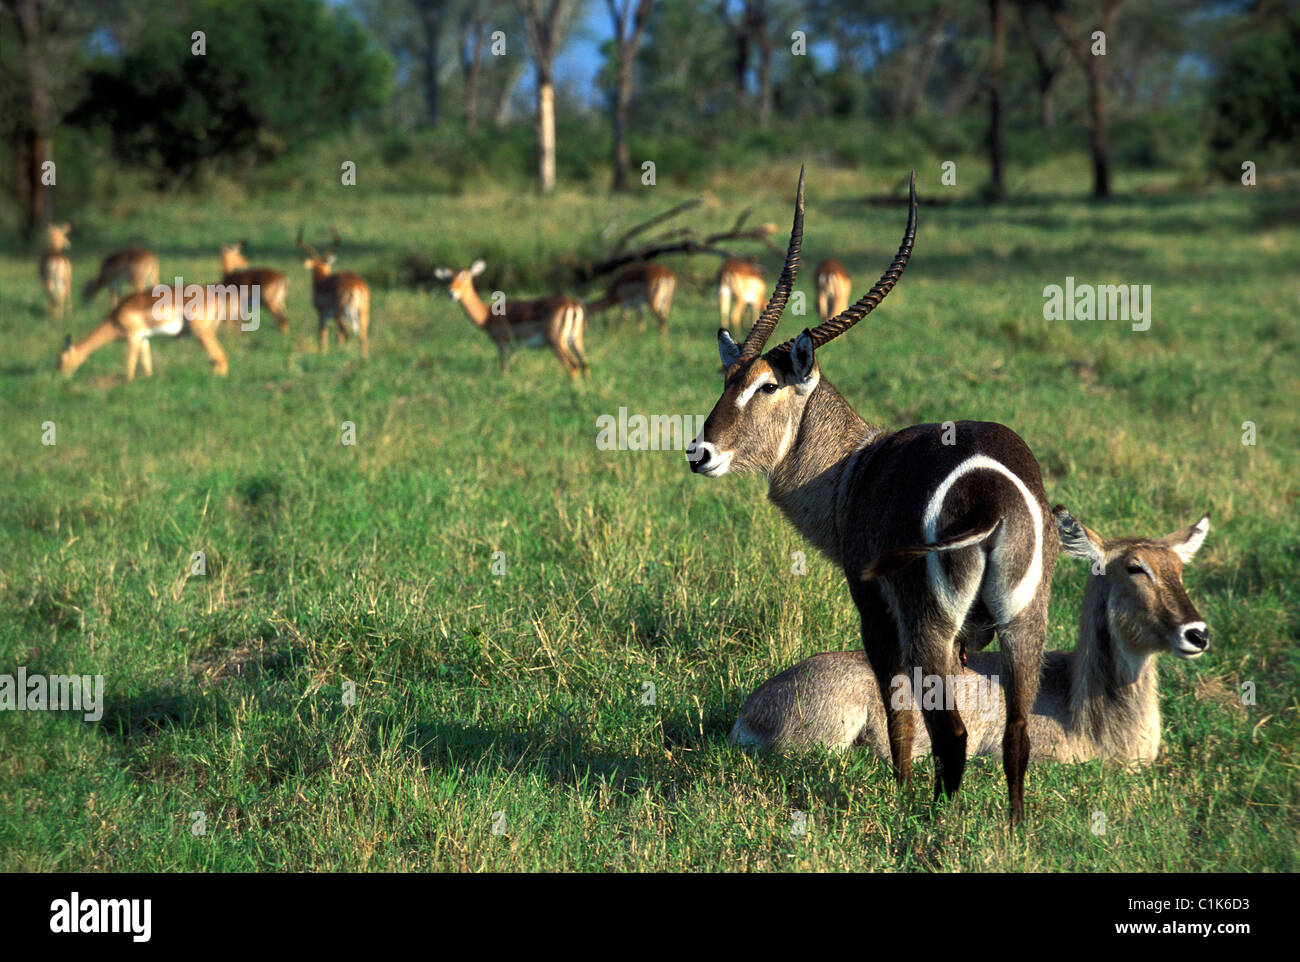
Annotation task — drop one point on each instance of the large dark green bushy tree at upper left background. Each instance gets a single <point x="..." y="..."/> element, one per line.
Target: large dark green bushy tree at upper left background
<point x="272" y="72"/>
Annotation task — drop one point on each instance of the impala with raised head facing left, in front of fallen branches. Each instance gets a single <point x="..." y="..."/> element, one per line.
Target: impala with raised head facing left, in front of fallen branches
<point x="558" y="322"/>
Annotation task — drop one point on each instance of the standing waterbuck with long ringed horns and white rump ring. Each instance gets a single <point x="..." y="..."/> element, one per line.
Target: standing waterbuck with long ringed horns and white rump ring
<point x="970" y="493"/>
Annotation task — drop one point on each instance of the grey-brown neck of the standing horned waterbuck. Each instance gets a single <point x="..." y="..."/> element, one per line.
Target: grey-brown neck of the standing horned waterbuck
<point x="805" y="484"/>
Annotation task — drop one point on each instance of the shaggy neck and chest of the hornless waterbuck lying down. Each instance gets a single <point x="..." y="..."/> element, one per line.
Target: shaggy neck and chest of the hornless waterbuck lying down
<point x="1115" y="700"/>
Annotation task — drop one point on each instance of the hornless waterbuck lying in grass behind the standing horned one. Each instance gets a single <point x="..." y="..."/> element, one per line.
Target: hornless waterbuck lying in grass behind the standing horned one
<point x="1099" y="701"/>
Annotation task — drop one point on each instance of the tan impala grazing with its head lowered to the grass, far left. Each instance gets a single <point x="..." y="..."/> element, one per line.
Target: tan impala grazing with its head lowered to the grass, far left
<point x="138" y="318"/>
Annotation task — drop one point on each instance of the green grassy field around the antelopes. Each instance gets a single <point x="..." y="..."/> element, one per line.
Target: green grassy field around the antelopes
<point x="501" y="721"/>
